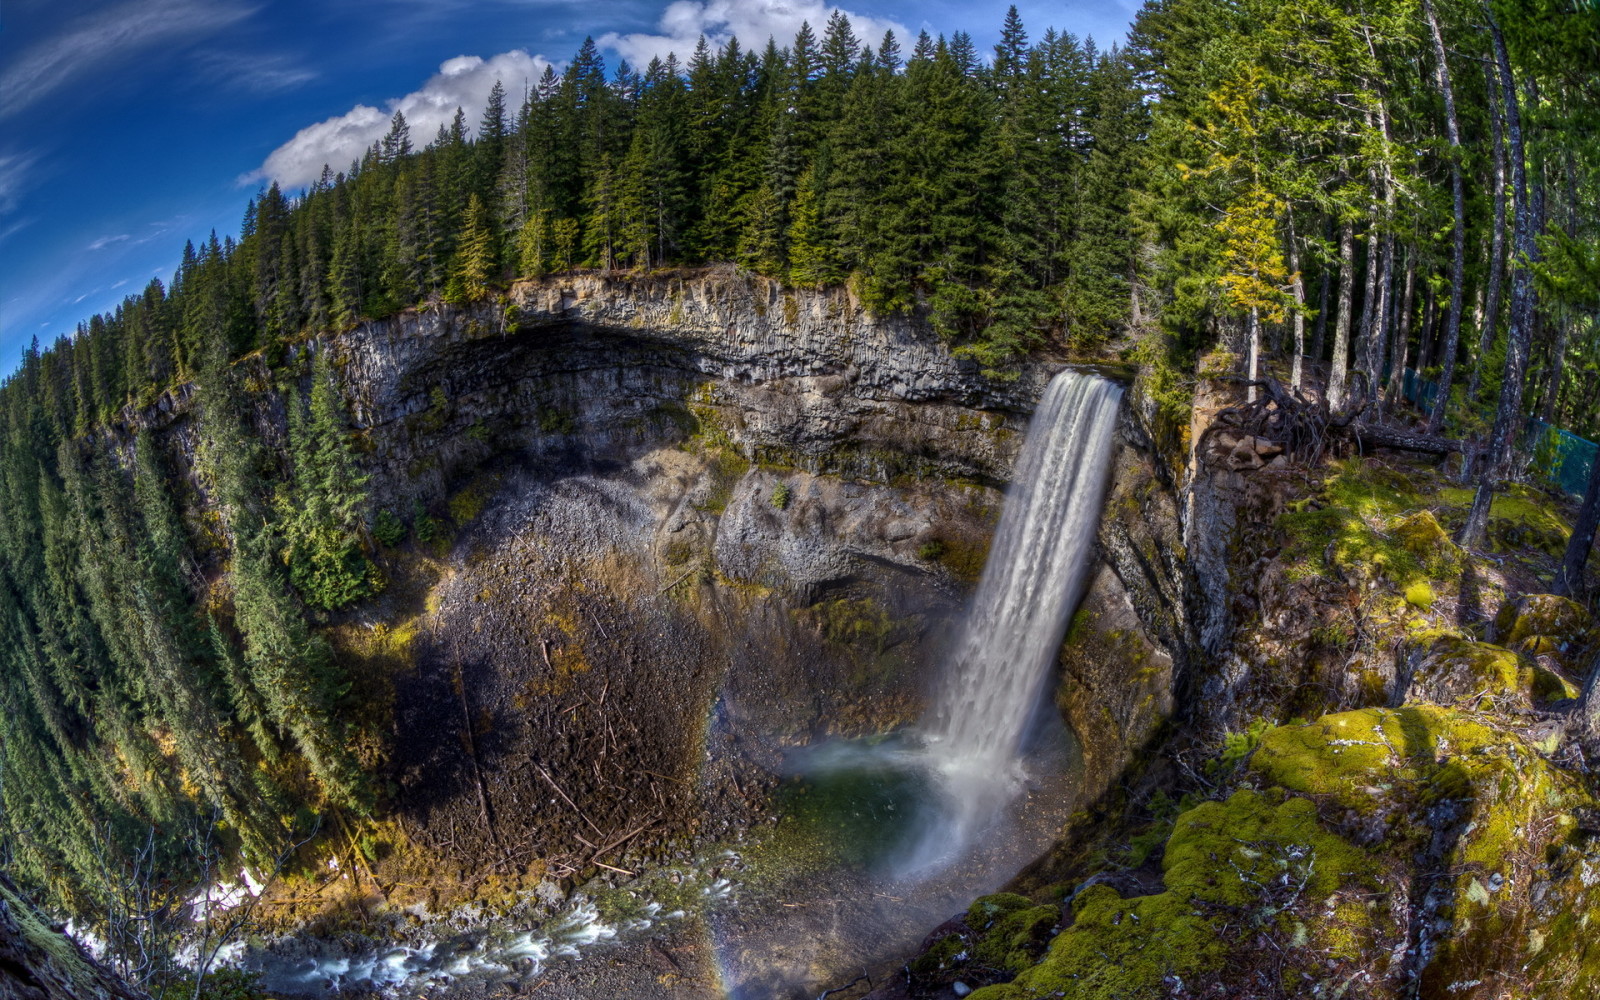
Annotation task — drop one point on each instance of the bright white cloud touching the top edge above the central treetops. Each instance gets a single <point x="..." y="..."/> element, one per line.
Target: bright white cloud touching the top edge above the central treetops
<point x="754" y="22"/>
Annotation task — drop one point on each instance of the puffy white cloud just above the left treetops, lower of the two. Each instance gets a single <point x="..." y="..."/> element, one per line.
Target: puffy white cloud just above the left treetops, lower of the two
<point x="462" y="82"/>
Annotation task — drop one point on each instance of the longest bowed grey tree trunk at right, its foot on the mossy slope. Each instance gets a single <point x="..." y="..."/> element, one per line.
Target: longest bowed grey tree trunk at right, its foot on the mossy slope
<point x="1508" y="414"/>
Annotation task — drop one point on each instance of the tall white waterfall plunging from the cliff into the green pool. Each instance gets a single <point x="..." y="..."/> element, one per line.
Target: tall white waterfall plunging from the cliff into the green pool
<point x="1034" y="577"/>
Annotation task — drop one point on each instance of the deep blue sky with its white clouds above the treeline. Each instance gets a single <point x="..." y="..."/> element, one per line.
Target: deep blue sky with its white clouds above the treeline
<point x="129" y="127"/>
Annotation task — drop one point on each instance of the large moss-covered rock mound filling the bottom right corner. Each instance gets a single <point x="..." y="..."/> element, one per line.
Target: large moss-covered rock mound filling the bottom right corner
<point x="1385" y="854"/>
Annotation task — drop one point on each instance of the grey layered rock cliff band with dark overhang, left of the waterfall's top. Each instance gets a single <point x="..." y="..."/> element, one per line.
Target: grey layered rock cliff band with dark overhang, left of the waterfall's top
<point x="612" y="366"/>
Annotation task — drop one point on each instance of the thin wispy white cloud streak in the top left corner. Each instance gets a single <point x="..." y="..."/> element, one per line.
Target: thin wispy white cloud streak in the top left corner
<point x="102" y="36"/>
